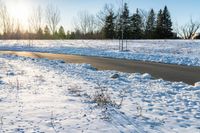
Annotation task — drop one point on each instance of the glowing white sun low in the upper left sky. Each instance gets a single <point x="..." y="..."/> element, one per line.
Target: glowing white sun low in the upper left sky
<point x="19" y="11"/>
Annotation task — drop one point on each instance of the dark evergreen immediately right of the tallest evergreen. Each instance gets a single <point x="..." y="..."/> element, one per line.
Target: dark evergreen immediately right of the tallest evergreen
<point x="136" y="26"/>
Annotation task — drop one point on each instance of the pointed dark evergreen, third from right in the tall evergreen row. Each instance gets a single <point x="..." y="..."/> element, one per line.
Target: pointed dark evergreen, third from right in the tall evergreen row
<point x="150" y="25"/>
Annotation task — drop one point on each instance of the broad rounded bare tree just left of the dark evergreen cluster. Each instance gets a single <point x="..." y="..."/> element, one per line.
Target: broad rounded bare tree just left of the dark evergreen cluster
<point x="85" y="22"/>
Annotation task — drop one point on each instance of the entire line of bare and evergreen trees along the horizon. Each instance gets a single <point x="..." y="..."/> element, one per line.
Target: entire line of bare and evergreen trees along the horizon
<point x="106" y="24"/>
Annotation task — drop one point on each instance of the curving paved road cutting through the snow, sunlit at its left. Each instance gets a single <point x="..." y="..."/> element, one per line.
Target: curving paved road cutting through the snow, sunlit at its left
<point x="189" y="75"/>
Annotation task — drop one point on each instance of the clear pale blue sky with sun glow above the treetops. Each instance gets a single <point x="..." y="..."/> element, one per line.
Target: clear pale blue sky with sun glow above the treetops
<point x="181" y="10"/>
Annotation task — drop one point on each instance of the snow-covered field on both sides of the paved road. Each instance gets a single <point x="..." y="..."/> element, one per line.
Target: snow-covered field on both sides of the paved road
<point x="41" y="95"/>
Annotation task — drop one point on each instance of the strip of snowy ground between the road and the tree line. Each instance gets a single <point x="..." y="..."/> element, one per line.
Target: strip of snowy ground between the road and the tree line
<point x="182" y="52"/>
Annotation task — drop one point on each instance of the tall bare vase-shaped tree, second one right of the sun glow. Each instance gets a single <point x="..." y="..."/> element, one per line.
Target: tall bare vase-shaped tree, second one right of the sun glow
<point x="52" y="17"/>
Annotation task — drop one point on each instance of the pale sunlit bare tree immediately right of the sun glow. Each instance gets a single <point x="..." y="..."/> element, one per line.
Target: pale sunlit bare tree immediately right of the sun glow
<point x="35" y="19"/>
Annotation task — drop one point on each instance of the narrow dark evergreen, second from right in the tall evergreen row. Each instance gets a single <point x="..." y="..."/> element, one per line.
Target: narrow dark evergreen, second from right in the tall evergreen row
<point x="159" y="25"/>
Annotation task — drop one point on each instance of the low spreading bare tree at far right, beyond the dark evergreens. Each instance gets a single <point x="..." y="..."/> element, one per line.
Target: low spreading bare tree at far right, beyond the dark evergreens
<point x="189" y="30"/>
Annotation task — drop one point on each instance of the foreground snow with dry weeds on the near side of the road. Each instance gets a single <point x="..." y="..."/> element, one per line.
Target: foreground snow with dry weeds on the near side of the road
<point x="39" y="95"/>
